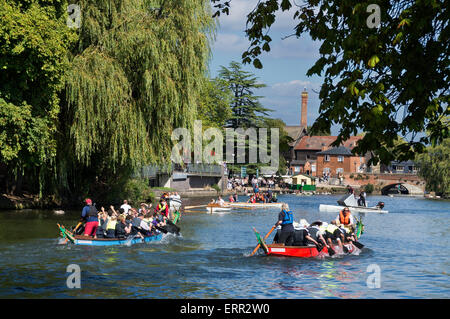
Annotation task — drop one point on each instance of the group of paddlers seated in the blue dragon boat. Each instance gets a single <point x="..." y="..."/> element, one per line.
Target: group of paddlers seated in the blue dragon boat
<point x="129" y="221"/>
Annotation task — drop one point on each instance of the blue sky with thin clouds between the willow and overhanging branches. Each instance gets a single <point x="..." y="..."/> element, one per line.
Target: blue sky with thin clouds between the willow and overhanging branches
<point x="284" y="67"/>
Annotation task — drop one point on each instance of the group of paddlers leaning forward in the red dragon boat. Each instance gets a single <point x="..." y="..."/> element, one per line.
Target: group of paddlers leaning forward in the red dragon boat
<point x="338" y="232"/>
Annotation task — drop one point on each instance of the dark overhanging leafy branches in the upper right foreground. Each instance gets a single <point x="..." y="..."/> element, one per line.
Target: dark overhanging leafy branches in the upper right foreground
<point x="385" y="78"/>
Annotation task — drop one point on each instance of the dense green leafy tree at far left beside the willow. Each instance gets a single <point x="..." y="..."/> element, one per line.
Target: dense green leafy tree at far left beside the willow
<point x="34" y="44"/>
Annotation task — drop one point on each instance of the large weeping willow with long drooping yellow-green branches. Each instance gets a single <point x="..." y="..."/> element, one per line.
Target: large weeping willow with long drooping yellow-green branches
<point x="135" y="75"/>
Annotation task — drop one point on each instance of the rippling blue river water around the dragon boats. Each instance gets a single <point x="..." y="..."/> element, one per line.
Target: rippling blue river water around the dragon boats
<point x="407" y="250"/>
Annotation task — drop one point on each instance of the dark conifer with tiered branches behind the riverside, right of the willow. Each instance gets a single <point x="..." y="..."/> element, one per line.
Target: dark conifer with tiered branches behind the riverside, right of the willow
<point x="246" y="107"/>
